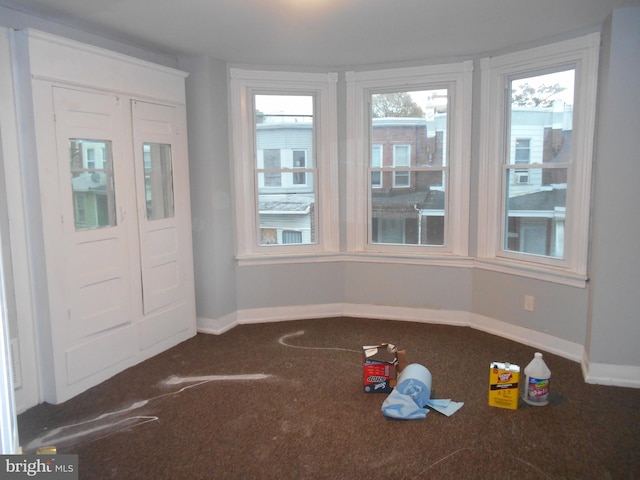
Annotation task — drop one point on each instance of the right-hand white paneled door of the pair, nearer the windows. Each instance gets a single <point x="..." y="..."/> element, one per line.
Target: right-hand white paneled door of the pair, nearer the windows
<point x="164" y="222"/>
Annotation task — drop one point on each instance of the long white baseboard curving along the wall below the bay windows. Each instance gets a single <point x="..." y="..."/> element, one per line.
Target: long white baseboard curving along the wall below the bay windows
<point x="624" y="376"/>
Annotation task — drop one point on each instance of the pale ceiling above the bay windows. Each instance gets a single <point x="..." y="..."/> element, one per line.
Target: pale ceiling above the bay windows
<point x="326" y="33"/>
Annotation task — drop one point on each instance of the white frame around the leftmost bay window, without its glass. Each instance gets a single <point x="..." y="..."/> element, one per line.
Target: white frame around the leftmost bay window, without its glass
<point x="323" y="86"/>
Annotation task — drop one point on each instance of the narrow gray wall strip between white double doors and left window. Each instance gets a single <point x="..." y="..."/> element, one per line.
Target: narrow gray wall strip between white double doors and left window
<point x="211" y="191"/>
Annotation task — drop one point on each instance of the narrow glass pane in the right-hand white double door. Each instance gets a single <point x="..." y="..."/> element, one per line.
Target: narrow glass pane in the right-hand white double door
<point x="158" y="180"/>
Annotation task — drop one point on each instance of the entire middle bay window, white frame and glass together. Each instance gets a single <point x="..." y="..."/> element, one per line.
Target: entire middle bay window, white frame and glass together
<point x="408" y="174"/>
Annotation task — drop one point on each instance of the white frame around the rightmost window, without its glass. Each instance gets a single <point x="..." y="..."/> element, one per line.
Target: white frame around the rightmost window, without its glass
<point x="582" y="54"/>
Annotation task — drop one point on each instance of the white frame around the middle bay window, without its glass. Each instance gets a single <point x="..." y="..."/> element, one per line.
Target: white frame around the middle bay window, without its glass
<point x="457" y="78"/>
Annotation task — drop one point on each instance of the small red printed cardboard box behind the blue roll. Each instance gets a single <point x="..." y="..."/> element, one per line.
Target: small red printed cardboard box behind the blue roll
<point x="380" y="367"/>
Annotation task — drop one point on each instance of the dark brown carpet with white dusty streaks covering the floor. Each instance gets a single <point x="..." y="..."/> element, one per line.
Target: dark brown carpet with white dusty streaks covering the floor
<point x="309" y="419"/>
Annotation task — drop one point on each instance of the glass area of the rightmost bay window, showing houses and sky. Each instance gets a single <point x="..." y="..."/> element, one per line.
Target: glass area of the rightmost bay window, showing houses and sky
<point x="540" y="128"/>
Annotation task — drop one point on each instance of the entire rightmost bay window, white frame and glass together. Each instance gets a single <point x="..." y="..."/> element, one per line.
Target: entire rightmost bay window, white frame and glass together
<point x="539" y="215"/>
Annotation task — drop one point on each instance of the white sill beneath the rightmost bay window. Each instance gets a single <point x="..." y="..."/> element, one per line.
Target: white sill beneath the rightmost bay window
<point x="537" y="272"/>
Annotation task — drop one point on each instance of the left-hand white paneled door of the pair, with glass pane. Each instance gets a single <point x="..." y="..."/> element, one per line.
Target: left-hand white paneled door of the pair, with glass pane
<point x="94" y="197"/>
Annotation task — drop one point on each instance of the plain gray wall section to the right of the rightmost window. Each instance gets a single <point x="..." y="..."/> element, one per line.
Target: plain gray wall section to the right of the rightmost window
<point x="614" y="301"/>
